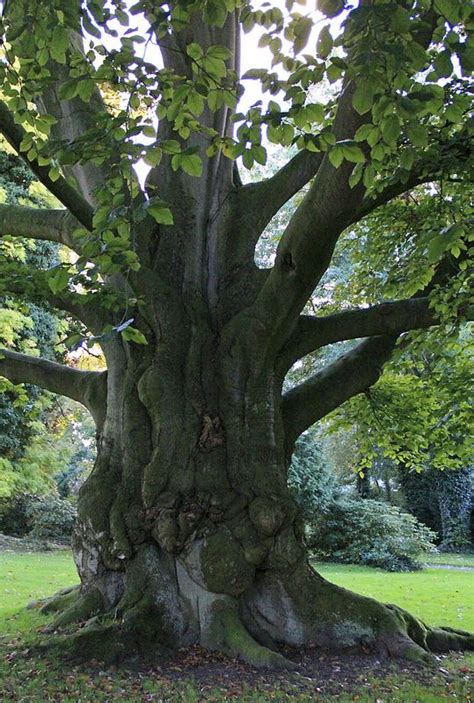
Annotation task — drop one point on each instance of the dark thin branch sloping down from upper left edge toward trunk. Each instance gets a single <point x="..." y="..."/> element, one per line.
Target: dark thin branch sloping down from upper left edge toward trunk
<point x="60" y="188"/>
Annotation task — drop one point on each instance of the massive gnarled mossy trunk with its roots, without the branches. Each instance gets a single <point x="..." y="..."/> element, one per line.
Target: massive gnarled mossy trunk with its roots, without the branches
<point x="187" y="532"/>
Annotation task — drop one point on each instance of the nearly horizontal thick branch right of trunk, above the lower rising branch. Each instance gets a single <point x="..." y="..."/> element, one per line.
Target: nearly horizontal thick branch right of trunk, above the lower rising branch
<point x="385" y="318"/>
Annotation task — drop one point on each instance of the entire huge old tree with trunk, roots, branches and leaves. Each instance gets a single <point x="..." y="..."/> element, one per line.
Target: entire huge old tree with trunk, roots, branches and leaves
<point x="187" y="531"/>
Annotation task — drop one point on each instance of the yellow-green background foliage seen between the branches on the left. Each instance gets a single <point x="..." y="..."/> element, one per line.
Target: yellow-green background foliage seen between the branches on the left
<point x="35" y="440"/>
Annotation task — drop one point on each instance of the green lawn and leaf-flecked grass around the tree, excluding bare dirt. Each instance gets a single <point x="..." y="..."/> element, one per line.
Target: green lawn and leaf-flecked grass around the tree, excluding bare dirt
<point x="436" y="596"/>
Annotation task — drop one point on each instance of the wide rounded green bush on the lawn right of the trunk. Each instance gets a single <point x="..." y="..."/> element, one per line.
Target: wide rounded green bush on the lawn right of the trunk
<point x="369" y="532"/>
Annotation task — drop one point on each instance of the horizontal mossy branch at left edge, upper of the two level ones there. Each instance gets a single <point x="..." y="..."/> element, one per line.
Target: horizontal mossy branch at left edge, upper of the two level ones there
<point x="36" y="223"/>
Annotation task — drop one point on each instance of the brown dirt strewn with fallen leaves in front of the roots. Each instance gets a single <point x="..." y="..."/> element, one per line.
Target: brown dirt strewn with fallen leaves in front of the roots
<point x="319" y="675"/>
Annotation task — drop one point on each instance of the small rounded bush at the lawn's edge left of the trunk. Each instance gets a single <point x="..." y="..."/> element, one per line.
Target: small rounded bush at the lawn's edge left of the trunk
<point x="51" y="517"/>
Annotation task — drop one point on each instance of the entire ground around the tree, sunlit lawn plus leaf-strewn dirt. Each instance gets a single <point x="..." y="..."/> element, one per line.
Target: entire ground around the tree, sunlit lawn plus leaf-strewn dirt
<point x="194" y="675"/>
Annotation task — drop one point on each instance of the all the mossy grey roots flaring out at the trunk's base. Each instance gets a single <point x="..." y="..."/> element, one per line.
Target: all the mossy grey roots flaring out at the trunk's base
<point x="153" y="617"/>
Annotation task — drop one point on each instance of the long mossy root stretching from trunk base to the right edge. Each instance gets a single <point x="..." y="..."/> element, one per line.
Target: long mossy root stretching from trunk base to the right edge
<point x="301" y="608"/>
